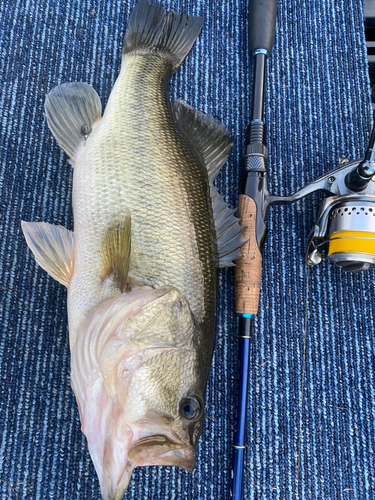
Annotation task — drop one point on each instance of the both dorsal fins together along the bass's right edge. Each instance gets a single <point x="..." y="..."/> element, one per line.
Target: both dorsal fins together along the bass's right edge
<point x="209" y="141"/>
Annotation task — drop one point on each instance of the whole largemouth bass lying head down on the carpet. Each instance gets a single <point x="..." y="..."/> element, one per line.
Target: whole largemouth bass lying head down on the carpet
<point x="150" y="230"/>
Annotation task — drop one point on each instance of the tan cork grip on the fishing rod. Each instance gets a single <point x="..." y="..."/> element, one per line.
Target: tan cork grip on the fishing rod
<point x="248" y="270"/>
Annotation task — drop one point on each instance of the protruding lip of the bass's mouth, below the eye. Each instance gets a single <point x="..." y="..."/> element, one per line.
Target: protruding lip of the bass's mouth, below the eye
<point x="161" y="450"/>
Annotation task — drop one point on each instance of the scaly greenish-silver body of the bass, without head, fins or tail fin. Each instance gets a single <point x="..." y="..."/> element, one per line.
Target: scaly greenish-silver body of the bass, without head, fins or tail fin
<point x="134" y="159"/>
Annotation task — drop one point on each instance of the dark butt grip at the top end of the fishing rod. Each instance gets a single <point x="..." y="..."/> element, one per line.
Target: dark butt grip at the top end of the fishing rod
<point x="262" y="25"/>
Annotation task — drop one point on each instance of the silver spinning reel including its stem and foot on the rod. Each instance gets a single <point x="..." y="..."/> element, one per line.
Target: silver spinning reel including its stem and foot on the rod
<point x="345" y="228"/>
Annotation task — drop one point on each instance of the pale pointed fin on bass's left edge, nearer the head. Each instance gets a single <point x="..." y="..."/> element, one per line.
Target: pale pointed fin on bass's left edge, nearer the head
<point x="53" y="248"/>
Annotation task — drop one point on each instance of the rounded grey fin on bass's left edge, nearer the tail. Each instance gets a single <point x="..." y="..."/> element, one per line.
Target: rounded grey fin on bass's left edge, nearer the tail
<point x="71" y="109"/>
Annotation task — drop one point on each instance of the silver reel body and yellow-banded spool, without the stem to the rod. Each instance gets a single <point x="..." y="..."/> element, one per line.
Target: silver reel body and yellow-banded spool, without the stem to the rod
<point x="346" y="221"/>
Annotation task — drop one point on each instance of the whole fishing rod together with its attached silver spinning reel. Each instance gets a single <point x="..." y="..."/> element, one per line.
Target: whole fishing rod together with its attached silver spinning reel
<point x="344" y="232"/>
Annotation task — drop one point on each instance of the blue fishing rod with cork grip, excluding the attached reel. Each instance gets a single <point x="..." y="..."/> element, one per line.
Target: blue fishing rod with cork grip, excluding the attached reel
<point x="261" y="37"/>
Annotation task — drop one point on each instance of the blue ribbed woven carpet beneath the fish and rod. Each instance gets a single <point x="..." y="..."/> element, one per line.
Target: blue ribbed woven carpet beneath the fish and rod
<point x="317" y="109"/>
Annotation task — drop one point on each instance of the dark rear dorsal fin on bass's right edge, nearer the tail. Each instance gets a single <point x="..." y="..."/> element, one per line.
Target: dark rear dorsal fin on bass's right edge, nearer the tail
<point x="206" y="136"/>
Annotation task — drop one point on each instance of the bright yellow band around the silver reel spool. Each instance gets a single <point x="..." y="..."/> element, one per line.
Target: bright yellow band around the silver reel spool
<point x="352" y="241"/>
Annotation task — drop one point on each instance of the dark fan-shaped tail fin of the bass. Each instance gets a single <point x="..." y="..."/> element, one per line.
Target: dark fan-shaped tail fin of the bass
<point x="151" y="28"/>
